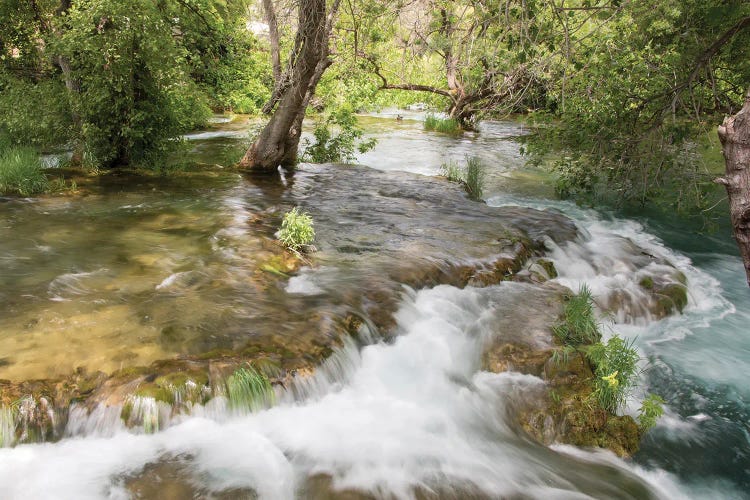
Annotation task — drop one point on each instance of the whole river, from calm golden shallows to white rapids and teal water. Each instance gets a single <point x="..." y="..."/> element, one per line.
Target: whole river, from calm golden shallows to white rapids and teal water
<point x="161" y="272"/>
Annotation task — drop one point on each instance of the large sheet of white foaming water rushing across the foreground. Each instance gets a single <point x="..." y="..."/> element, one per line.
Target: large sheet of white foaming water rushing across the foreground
<point x="416" y="413"/>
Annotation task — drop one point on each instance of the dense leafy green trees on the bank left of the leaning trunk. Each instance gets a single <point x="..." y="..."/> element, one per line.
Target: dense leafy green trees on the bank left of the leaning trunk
<point x="125" y="77"/>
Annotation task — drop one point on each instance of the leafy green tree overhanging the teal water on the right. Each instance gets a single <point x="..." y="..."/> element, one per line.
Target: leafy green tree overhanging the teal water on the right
<point x="632" y="100"/>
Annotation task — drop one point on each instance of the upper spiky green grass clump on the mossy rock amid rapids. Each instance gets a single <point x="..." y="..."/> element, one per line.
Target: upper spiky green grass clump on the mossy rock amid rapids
<point x="579" y="325"/>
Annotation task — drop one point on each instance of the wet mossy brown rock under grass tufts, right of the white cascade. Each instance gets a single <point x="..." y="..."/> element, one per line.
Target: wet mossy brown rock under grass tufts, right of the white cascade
<point x="566" y="412"/>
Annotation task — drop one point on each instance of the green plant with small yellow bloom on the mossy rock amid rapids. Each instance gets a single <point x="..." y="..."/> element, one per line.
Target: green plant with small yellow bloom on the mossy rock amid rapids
<point x="616" y="365"/>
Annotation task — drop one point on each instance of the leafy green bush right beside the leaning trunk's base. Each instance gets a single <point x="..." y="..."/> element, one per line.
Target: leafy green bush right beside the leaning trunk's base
<point x="337" y="136"/>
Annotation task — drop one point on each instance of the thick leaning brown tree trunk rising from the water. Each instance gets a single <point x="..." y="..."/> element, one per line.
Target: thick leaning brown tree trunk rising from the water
<point x="278" y="142"/>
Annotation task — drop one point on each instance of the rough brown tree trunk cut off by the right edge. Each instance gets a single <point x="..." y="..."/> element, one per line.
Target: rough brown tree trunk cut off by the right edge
<point x="734" y="134"/>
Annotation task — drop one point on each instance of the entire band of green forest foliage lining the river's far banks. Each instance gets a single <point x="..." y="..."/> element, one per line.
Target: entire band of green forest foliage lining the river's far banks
<point x="622" y="97"/>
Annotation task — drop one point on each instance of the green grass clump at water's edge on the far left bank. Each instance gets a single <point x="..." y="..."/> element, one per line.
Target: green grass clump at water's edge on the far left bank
<point x="21" y="172"/>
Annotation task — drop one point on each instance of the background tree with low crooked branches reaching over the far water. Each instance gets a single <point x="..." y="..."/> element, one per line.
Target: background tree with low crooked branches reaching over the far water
<point x="490" y="53"/>
